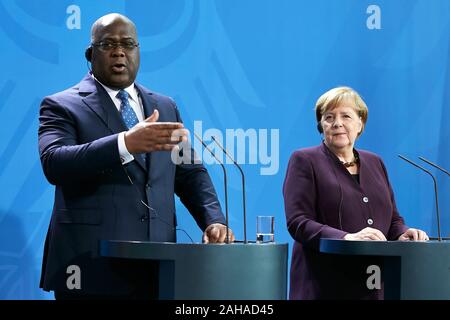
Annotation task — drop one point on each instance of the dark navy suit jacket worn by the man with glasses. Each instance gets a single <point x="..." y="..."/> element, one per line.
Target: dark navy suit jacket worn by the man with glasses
<point x="96" y="197"/>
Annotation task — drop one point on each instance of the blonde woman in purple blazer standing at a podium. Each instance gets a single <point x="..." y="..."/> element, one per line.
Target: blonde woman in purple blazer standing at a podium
<point x="335" y="191"/>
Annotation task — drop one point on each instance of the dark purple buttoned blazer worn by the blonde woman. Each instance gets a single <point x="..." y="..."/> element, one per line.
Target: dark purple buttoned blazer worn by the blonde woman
<point x="323" y="200"/>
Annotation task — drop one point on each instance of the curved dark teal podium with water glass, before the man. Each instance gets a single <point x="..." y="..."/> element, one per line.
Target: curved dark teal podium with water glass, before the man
<point x="211" y="271"/>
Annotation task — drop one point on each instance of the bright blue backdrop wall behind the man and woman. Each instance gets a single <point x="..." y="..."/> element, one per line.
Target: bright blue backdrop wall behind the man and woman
<point x="232" y="64"/>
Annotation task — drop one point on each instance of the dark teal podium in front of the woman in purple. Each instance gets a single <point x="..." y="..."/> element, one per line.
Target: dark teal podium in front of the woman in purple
<point x="411" y="270"/>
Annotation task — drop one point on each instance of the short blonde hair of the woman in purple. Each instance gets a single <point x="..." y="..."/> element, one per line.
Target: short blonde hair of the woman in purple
<point x="331" y="99"/>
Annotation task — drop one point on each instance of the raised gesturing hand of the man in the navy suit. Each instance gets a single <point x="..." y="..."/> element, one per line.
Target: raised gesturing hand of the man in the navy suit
<point x="150" y="135"/>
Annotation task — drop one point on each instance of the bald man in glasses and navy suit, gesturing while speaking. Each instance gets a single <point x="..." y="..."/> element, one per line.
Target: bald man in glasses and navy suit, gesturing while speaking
<point x="105" y="144"/>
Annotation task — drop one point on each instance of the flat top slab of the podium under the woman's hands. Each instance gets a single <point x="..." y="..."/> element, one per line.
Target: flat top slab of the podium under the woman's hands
<point x="381" y="248"/>
